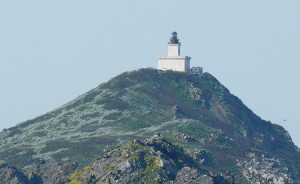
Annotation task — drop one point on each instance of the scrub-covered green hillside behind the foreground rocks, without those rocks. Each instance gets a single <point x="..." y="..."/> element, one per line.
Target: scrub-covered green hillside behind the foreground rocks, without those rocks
<point x="195" y="112"/>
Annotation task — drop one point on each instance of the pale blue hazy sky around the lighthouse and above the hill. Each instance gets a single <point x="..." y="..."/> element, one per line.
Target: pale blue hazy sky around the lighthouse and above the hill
<point x="53" y="51"/>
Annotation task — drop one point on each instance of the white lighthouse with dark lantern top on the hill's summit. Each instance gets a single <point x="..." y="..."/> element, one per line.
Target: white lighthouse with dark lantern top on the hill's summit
<point x="174" y="61"/>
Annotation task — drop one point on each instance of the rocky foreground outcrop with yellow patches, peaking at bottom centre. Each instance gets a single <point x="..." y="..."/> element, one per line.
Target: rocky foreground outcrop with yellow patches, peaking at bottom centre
<point x="154" y="160"/>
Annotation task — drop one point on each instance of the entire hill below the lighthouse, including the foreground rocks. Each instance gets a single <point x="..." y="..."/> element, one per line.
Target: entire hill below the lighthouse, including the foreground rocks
<point x="213" y="135"/>
